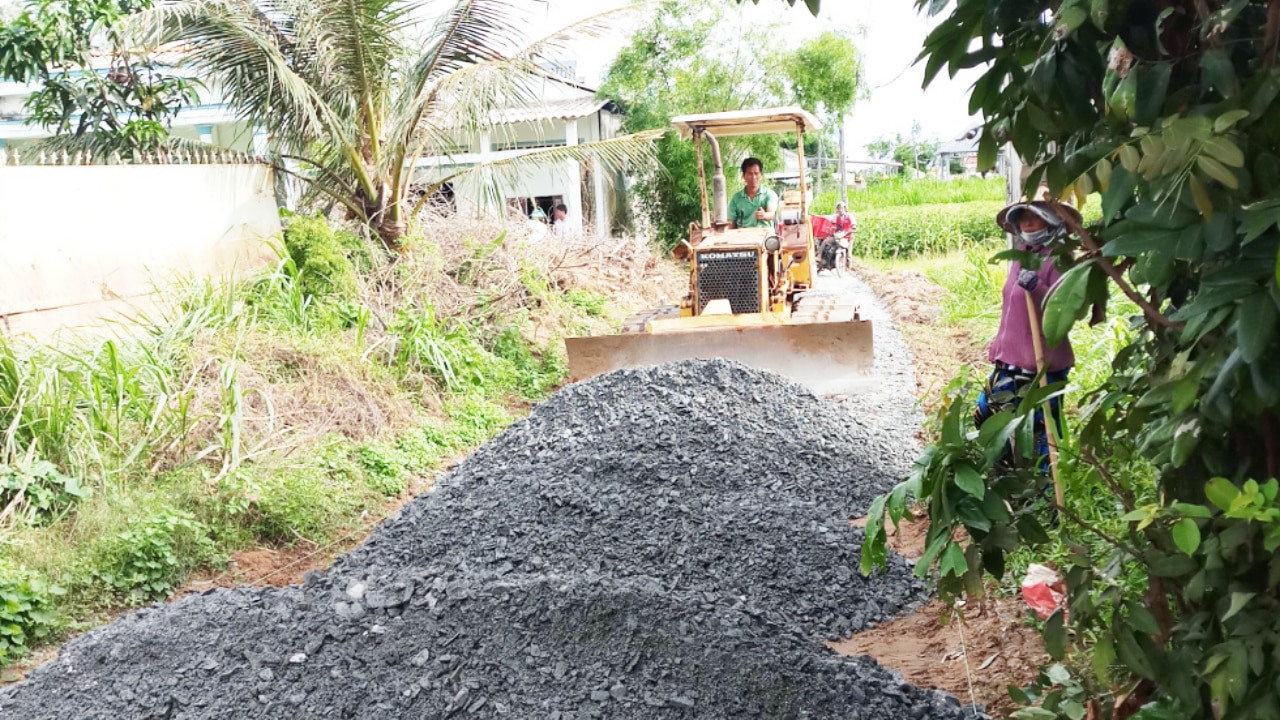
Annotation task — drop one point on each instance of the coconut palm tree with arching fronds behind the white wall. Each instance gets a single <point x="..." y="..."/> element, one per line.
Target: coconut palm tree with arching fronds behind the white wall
<point x="354" y="93"/>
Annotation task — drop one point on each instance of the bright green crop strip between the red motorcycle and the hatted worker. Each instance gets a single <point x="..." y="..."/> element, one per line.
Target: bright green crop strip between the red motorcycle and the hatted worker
<point x="925" y="229"/>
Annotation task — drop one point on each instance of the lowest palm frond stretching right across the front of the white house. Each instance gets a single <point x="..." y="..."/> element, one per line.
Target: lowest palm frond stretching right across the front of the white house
<point x="611" y="156"/>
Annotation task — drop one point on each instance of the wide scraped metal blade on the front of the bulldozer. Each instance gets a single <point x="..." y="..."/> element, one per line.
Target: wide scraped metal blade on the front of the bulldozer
<point x="828" y="358"/>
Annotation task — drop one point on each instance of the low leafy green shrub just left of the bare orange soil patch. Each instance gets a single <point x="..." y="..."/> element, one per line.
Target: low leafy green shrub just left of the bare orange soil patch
<point x="150" y="559"/>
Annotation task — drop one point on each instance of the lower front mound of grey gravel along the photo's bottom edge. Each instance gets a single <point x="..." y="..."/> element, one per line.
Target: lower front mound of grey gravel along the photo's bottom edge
<point x="546" y="649"/>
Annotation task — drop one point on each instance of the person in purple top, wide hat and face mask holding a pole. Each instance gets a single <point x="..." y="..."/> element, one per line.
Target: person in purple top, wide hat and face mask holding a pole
<point x="1036" y="229"/>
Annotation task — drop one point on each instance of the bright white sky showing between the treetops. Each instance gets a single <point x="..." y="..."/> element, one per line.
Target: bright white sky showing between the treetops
<point x="888" y="33"/>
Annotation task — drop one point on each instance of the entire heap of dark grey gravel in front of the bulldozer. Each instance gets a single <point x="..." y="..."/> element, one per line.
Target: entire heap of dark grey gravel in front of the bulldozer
<point x="665" y="543"/>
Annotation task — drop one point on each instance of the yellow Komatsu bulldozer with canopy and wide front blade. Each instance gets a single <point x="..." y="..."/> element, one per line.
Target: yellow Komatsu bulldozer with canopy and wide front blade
<point x="751" y="290"/>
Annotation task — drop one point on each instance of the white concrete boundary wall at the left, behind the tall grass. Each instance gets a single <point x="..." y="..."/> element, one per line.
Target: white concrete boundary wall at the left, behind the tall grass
<point x="83" y="244"/>
